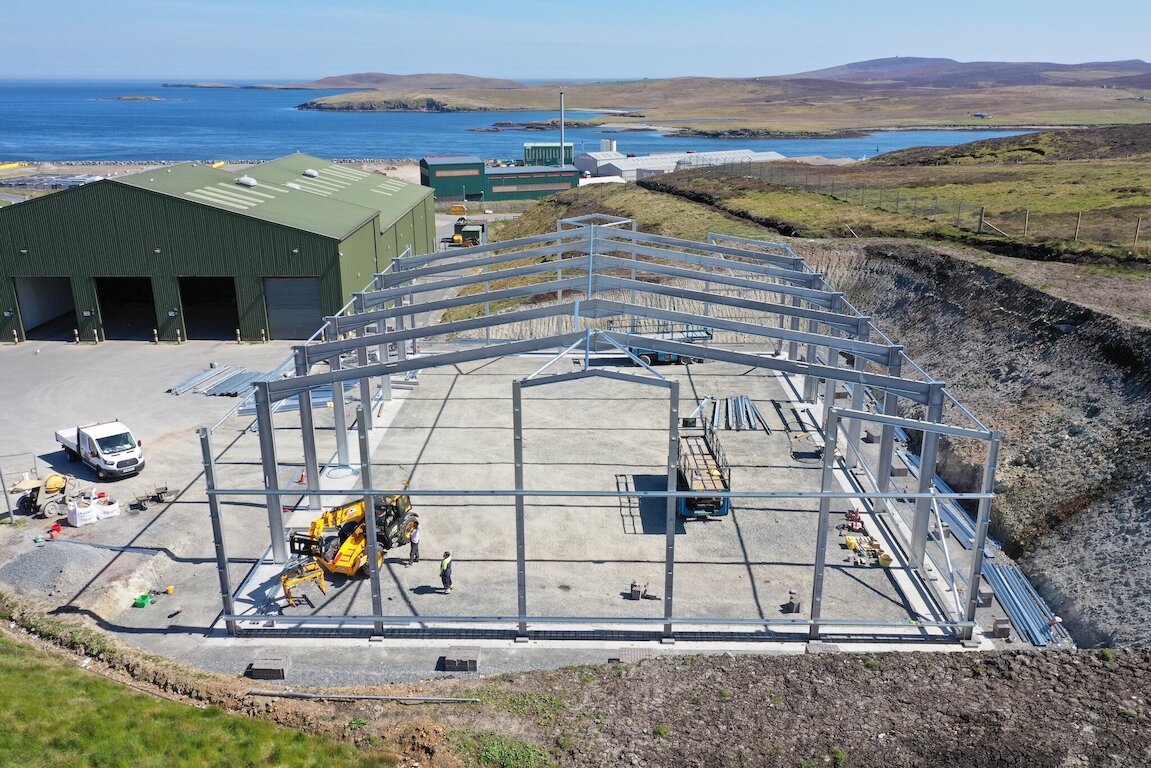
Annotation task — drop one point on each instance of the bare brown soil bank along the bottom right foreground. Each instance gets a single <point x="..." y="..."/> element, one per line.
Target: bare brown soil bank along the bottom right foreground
<point x="847" y="710"/>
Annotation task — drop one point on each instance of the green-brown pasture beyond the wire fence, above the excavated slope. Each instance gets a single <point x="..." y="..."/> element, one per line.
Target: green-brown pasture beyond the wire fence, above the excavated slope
<point x="1042" y="201"/>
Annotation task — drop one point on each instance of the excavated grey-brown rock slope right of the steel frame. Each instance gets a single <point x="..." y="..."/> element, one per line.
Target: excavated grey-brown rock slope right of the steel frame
<point x="1070" y="390"/>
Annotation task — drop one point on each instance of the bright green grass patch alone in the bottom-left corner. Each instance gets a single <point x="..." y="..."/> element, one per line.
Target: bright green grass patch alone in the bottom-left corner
<point x="55" y="716"/>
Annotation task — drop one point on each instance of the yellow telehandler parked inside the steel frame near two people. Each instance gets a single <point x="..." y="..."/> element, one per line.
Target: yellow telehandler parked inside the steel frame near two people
<point x="337" y="542"/>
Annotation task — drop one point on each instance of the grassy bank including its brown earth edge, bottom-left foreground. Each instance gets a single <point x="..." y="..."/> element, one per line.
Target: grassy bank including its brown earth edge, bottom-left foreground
<point x="56" y="714"/>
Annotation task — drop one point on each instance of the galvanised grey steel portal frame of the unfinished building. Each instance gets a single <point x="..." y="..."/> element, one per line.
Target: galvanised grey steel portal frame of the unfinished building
<point x="589" y="258"/>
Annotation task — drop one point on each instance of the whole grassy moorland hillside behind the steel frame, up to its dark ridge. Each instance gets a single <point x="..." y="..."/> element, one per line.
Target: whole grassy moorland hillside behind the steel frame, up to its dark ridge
<point x="814" y="202"/>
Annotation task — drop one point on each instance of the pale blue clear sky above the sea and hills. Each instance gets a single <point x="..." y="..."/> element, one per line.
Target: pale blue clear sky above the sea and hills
<point x="306" y="40"/>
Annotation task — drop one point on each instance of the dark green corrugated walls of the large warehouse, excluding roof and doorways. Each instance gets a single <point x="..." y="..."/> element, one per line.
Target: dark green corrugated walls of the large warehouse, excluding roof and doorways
<point x="115" y="231"/>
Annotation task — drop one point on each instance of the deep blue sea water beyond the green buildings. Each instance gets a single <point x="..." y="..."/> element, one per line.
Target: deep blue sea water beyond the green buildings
<point x="92" y="120"/>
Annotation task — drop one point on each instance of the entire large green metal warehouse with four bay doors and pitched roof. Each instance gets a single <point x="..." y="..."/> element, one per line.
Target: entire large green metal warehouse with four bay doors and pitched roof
<point x="194" y="252"/>
